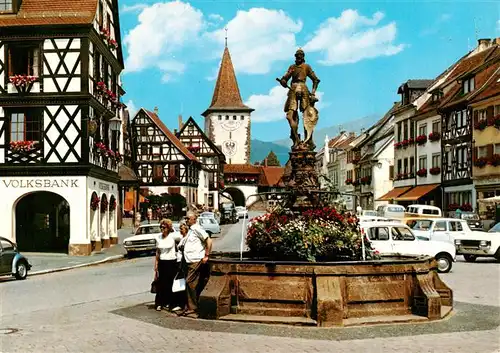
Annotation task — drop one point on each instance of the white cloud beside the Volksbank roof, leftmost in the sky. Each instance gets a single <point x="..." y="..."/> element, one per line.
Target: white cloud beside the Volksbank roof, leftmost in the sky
<point x="155" y="41"/>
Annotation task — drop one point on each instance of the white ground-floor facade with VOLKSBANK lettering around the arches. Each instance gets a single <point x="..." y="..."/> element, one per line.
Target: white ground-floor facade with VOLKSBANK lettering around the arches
<point x="85" y="225"/>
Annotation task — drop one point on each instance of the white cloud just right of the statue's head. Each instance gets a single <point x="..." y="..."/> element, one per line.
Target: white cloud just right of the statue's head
<point x="352" y="37"/>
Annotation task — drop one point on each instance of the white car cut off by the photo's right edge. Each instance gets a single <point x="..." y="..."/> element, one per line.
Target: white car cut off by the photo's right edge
<point x="479" y="244"/>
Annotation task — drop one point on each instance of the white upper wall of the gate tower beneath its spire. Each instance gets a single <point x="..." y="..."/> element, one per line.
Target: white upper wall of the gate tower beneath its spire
<point x="231" y="131"/>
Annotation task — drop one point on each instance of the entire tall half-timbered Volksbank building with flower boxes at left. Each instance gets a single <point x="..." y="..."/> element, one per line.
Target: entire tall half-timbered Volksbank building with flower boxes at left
<point x="60" y="114"/>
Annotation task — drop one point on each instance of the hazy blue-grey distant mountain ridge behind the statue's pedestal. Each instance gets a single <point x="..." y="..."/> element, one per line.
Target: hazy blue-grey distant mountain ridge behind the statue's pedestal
<point x="332" y="131"/>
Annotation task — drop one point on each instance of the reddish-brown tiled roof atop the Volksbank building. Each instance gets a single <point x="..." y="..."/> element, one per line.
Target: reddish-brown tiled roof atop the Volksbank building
<point x="50" y="12"/>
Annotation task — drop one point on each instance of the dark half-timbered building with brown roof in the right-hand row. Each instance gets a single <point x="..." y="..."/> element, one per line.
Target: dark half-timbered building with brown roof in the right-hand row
<point x="469" y="75"/>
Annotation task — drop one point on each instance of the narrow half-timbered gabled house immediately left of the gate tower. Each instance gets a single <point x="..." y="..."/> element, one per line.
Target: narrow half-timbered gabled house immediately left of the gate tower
<point x="211" y="158"/>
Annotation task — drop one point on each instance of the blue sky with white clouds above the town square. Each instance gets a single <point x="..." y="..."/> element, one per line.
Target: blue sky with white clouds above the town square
<point x="361" y="51"/>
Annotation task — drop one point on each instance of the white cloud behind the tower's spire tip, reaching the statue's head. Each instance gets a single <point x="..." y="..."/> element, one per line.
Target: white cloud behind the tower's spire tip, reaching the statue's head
<point x="257" y="38"/>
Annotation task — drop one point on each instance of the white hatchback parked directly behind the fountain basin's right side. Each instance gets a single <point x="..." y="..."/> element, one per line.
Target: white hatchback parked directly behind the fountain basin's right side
<point x="397" y="238"/>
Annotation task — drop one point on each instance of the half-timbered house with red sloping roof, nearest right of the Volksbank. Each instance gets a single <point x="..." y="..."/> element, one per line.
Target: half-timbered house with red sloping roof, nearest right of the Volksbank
<point x="161" y="161"/>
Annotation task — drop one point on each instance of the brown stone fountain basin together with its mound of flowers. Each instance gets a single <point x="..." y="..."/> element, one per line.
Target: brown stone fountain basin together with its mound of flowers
<point x="306" y="269"/>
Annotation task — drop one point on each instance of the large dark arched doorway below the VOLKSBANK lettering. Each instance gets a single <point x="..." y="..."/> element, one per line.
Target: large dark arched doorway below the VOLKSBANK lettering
<point x="42" y="222"/>
